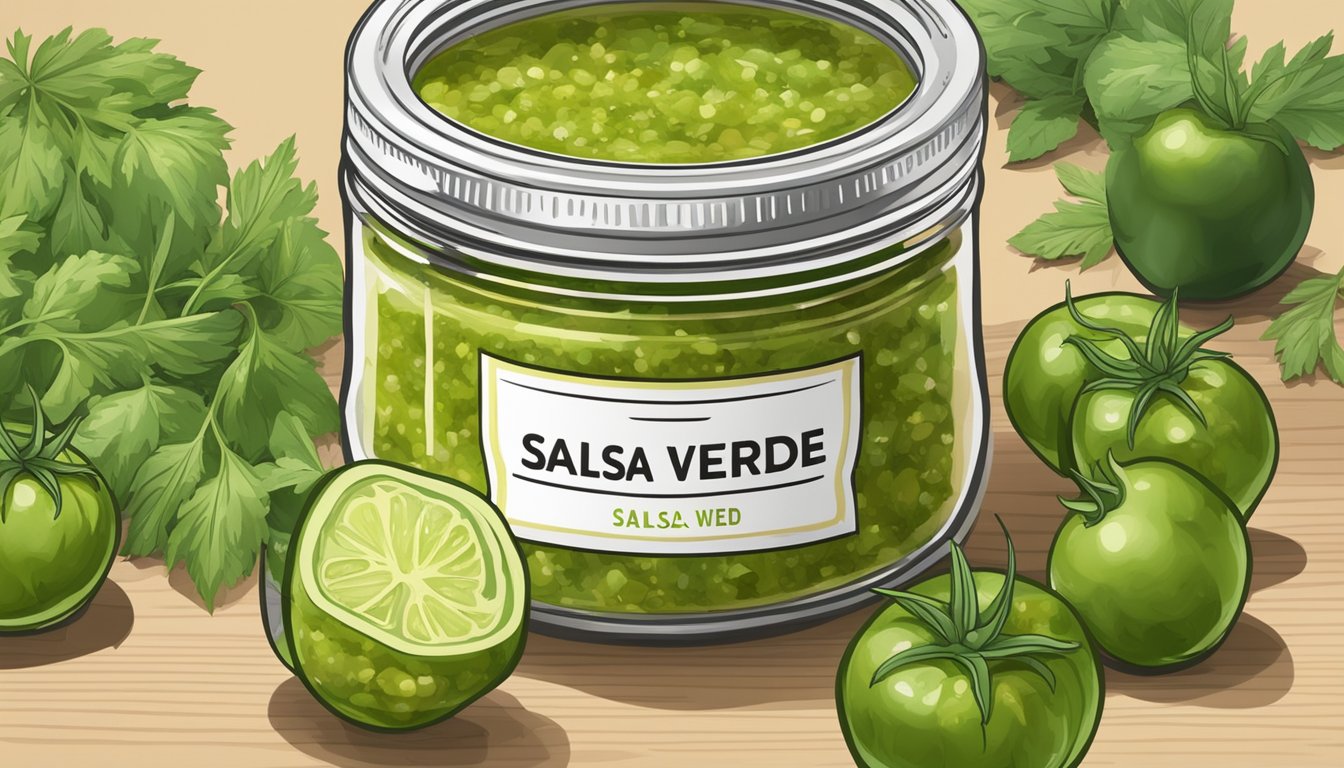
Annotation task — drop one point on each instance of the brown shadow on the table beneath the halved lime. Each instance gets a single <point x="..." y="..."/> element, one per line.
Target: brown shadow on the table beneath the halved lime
<point x="495" y="731"/>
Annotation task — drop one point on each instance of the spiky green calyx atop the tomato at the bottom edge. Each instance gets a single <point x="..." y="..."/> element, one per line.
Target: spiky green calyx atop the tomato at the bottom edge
<point x="968" y="637"/>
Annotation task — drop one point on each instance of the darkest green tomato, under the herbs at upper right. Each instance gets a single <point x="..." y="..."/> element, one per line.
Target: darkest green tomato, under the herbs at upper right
<point x="1213" y="212"/>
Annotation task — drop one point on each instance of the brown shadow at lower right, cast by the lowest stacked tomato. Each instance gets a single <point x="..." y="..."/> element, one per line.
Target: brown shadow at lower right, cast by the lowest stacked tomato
<point x="1253" y="669"/>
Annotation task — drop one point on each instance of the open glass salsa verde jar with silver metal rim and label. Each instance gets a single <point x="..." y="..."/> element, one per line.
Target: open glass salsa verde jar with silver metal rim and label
<point x="690" y="291"/>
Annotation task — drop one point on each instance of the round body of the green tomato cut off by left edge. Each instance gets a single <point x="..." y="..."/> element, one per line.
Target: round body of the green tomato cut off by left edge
<point x="53" y="564"/>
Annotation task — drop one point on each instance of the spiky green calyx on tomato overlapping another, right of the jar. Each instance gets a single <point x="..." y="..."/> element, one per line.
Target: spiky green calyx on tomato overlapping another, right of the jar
<point x="1158" y="365"/>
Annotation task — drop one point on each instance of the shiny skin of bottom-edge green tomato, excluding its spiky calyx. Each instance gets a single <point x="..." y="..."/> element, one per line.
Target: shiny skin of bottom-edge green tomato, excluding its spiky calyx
<point x="925" y="715"/>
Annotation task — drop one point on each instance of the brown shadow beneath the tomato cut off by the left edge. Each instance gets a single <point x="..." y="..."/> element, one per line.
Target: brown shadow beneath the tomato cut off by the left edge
<point x="106" y="623"/>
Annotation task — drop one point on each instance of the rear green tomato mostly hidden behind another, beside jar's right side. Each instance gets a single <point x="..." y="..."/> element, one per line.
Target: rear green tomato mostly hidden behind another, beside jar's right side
<point x="1045" y="375"/>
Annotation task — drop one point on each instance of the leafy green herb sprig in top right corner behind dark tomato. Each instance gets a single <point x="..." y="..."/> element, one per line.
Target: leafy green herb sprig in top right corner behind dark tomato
<point x="1118" y="64"/>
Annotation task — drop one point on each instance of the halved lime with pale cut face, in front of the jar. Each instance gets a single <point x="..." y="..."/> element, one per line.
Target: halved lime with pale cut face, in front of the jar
<point x="407" y="597"/>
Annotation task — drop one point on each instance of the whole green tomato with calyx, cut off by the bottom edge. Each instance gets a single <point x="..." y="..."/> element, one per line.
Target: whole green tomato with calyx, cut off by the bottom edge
<point x="975" y="670"/>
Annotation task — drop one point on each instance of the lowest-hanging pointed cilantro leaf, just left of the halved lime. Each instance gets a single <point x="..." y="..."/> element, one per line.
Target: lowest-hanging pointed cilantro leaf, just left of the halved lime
<point x="221" y="528"/>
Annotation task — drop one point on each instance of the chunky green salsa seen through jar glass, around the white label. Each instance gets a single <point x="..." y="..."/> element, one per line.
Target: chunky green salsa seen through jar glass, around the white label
<point x="427" y="329"/>
